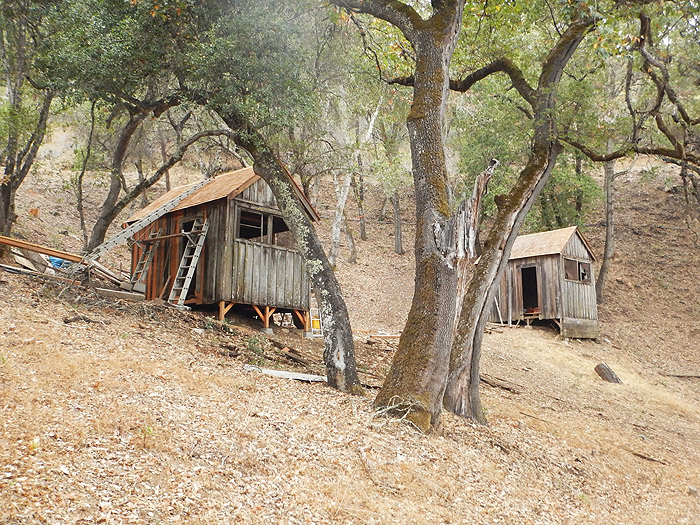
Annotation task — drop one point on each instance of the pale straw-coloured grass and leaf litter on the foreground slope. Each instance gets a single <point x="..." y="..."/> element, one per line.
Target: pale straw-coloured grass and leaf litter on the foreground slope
<point x="155" y="427"/>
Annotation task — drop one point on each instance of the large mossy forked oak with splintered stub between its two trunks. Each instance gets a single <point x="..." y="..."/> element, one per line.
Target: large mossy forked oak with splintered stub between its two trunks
<point x="437" y="361"/>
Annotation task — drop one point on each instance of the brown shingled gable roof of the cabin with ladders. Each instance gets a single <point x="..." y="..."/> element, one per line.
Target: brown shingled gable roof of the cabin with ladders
<point x="227" y="185"/>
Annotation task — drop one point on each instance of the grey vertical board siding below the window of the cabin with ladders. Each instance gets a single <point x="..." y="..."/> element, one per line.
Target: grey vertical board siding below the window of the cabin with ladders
<point x="269" y="275"/>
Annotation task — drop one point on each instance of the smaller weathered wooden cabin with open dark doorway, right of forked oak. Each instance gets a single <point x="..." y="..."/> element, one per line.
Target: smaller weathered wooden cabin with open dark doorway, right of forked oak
<point x="550" y="276"/>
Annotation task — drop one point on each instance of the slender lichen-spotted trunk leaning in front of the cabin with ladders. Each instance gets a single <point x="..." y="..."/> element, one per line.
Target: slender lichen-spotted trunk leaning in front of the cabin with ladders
<point x="339" y="352"/>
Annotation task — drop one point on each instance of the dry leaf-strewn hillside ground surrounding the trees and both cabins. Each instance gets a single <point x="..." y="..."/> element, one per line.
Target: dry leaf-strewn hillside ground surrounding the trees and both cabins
<point x="138" y="413"/>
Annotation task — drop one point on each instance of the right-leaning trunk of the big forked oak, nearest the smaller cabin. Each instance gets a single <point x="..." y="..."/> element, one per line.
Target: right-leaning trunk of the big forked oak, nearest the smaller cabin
<point x="462" y="391"/>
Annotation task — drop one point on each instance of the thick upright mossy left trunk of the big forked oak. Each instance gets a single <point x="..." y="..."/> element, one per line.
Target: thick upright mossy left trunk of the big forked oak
<point x="415" y="382"/>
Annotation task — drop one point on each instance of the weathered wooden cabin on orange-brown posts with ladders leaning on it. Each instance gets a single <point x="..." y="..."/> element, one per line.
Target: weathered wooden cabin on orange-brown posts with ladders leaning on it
<point x="248" y="256"/>
